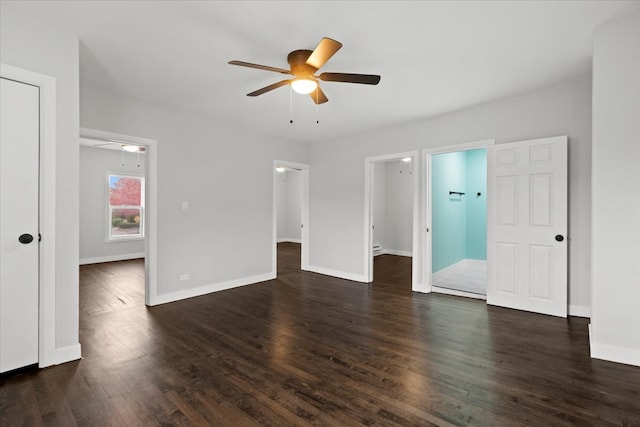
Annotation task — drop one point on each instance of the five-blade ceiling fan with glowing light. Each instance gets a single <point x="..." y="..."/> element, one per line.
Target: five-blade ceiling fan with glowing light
<point x="304" y="64"/>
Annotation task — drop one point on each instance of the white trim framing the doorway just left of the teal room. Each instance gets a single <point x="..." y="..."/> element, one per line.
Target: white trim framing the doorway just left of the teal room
<point x="369" y="163"/>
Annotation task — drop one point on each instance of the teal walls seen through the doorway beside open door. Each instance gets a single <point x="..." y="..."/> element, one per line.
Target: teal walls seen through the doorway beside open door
<point x="458" y="222"/>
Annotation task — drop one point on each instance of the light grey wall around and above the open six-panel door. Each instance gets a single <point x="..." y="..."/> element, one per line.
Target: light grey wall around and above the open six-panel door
<point x="337" y="187"/>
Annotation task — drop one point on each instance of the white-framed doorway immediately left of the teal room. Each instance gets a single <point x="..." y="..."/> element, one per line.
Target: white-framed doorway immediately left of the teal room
<point x="391" y="210"/>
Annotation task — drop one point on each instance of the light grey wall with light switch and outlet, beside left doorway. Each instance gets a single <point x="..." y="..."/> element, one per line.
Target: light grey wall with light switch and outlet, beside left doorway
<point x="225" y="239"/>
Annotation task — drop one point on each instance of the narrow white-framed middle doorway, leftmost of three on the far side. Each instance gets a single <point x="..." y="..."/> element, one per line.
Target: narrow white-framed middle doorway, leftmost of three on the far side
<point x="290" y="215"/>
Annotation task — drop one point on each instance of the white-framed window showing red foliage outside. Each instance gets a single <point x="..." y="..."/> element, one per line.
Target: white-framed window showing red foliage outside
<point x="126" y="208"/>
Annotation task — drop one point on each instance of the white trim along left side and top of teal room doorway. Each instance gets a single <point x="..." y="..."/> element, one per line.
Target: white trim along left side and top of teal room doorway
<point x="426" y="196"/>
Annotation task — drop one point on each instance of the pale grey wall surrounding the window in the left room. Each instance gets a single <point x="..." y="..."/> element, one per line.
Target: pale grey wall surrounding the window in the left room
<point x="95" y="164"/>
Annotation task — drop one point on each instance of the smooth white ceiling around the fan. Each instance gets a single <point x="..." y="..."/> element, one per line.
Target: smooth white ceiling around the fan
<point x="434" y="57"/>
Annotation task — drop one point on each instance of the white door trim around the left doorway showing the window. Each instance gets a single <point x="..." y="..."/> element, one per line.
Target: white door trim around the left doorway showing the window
<point x="151" y="196"/>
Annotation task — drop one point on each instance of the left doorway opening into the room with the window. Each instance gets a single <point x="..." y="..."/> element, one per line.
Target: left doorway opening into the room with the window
<point x="112" y="224"/>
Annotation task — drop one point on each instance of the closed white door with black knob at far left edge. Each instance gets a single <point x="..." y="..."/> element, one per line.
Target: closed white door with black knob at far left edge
<point x="19" y="288"/>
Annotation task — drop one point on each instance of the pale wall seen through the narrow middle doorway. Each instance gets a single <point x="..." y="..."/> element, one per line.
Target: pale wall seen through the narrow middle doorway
<point x="289" y="205"/>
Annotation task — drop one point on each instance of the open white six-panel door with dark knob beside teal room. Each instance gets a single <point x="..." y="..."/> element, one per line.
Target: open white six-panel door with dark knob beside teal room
<point x="527" y="225"/>
